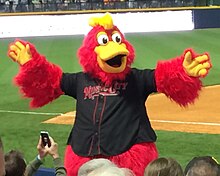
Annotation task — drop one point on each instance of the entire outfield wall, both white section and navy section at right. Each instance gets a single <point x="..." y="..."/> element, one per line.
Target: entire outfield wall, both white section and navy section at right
<point x="55" y="24"/>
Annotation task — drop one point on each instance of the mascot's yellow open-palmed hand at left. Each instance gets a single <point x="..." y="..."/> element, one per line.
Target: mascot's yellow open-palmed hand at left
<point x="19" y="52"/>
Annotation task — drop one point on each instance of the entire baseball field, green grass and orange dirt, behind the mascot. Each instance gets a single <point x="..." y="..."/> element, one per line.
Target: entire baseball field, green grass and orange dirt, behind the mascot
<point x="182" y="132"/>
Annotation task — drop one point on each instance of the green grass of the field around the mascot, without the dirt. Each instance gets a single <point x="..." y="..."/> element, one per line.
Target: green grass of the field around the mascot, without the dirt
<point x="20" y="130"/>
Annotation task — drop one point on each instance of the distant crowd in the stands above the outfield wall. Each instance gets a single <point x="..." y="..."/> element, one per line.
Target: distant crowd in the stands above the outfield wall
<point x="11" y="6"/>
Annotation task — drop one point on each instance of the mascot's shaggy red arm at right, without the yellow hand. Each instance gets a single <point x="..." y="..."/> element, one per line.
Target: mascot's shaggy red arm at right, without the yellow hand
<point x="174" y="82"/>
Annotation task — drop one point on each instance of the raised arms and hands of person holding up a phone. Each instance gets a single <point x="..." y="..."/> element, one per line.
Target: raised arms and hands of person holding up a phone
<point x="44" y="148"/>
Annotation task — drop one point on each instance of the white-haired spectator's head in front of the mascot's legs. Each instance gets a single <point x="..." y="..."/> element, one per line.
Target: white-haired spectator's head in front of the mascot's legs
<point x="102" y="167"/>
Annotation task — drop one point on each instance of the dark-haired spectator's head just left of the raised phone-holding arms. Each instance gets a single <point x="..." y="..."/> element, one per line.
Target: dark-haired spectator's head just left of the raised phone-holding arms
<point x="15" y="164"/>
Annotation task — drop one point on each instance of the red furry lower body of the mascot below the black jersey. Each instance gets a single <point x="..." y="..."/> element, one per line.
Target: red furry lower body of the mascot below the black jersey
<point x="136" y="159"/>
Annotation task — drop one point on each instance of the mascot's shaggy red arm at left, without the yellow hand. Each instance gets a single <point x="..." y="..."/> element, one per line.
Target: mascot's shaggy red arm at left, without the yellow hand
<point x="39" y="80"/>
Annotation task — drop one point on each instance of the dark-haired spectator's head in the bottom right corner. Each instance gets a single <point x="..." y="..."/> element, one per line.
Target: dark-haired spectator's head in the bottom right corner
<point x="202" y="166"/>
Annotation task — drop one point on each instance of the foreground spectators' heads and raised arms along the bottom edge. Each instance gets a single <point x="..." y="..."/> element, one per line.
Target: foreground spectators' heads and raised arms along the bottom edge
<point x="13" y="163"/>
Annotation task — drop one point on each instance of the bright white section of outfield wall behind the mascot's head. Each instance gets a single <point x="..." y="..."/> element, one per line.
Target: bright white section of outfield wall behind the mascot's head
<point x="77" y="24"/>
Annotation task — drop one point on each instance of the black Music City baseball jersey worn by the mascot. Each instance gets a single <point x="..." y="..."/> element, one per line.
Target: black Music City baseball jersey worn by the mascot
<point x="109" y="120"/>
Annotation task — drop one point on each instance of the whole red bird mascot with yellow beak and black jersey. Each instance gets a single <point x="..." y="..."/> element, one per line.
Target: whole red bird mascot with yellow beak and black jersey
<point x="111" y="118"/>
